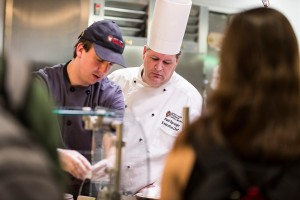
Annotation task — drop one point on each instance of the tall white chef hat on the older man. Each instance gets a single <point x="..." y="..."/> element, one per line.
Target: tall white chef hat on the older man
<point x="169" y="22"/>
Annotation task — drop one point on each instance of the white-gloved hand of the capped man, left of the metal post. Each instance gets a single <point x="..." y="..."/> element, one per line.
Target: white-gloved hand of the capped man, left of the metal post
<point x="74" y="163"/>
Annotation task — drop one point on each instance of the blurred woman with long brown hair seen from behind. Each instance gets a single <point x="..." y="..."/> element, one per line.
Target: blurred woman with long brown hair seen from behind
<point x="253" y="112"/>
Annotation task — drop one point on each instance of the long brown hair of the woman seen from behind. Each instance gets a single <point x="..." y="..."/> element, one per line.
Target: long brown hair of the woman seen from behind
<point x="255" y="108"/>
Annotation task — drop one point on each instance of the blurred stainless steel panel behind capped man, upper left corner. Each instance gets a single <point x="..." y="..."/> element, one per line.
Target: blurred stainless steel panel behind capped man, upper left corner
<point x="44" y="31"/>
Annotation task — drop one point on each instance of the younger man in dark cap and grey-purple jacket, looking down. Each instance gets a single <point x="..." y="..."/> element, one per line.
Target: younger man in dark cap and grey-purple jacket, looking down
<point x="82" y="82"/>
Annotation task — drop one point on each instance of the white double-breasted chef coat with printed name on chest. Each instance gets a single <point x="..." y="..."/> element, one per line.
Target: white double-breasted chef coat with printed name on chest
<point x="153" y="119"/>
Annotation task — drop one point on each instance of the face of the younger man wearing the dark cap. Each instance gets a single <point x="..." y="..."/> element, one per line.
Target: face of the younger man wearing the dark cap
<point x="93" y="68"/>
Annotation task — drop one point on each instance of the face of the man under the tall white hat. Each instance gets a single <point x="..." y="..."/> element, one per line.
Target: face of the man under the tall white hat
<point x="158" y="68"/>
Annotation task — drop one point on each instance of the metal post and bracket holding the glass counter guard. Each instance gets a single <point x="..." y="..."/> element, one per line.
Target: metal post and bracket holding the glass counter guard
<point x="95" y="120"/>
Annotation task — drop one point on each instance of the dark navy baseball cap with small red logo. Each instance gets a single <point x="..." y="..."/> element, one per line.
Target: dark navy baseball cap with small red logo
<point x="107" y="39"/>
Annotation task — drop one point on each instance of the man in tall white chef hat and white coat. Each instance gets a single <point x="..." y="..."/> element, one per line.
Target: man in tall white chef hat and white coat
<point x="155" y="96"/>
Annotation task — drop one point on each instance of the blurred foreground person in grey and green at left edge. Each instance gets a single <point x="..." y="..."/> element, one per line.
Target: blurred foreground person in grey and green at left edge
<point x="29" y="165"/>
